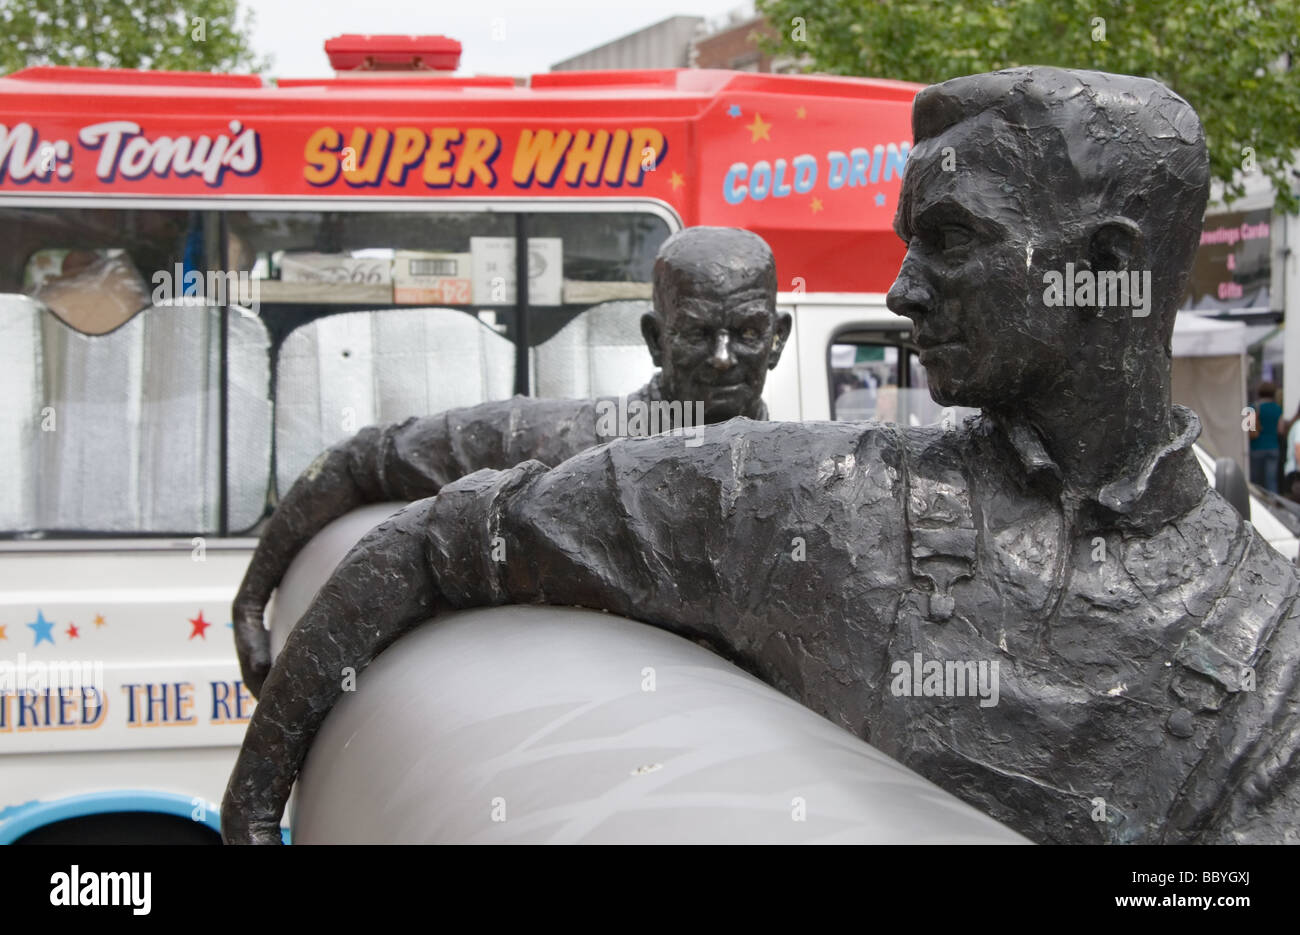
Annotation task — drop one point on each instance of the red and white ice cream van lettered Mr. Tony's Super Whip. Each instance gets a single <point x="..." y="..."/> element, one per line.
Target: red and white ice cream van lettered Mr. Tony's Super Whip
<point x="209" y="279"/>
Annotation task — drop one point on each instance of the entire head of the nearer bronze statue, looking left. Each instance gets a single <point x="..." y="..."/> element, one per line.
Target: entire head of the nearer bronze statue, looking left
<point x="1021" y="180"/>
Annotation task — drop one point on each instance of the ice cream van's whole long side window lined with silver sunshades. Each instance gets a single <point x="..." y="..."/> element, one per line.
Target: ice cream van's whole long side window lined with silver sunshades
<point x="301" y="327"/>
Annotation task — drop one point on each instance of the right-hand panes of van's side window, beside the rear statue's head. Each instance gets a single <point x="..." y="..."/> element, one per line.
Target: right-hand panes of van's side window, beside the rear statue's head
<point x="376" y="317"/>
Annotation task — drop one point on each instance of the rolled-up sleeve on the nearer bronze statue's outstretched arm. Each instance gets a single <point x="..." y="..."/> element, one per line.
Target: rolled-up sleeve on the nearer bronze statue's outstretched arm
<point x="747" y="542"/>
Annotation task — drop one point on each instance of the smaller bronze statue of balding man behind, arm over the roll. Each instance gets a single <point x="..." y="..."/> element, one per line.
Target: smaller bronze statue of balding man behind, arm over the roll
<point x="714" y="332"/>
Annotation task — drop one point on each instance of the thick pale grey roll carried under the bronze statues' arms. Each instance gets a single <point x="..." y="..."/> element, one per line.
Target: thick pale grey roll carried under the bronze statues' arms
<point x="557" y="725"/>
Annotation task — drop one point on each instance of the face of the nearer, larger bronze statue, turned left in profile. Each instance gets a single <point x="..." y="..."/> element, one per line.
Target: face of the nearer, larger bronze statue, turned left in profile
<point x="980" y="237"/>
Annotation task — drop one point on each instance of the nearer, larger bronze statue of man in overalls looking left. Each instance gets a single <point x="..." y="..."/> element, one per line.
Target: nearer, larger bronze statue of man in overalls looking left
<point x="1145" y="640"/>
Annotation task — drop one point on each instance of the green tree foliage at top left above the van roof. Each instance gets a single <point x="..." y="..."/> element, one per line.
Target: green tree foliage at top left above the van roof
<point x="187" y="36"/>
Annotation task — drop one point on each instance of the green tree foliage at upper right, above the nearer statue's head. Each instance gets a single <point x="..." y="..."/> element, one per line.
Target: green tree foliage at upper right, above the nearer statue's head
<point x="1230" y="59"/>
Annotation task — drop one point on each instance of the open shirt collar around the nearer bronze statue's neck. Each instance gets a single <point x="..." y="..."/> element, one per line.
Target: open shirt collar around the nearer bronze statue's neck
<point x="1164" y="488"/>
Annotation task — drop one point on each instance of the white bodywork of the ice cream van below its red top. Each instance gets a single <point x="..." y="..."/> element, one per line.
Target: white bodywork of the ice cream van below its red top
<point x="155" y="616"/>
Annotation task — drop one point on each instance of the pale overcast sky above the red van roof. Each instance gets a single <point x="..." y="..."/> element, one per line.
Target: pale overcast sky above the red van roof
<point x="538" y="33"/>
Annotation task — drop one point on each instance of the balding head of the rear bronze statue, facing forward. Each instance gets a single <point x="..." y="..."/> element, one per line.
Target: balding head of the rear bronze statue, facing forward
<point x="716" y="332"/>
